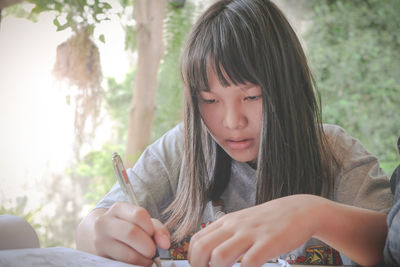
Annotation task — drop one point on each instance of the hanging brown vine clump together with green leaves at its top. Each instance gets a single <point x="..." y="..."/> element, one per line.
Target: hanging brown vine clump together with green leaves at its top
<point x="78" y="61"/>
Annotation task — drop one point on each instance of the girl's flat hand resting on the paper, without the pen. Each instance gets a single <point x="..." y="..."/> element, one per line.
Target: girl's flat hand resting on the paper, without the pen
<point x="257" y="234"/>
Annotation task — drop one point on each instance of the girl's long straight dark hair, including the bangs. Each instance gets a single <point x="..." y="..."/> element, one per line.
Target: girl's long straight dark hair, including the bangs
<point x="251" y="41"/>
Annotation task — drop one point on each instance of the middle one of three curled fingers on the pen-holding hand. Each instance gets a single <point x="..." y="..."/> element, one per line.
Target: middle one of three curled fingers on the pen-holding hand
<point x="131" y="235"/>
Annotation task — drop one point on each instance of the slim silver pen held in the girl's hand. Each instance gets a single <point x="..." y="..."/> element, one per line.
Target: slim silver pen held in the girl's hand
<point x="126" y="186"/>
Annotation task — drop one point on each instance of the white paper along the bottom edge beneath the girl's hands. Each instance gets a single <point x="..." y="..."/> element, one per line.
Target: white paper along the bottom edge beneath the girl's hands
<point x="68" y="257"/>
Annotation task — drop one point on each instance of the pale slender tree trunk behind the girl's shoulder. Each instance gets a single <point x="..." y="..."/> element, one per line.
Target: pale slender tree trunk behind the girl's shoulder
<point x="149" y="22"/>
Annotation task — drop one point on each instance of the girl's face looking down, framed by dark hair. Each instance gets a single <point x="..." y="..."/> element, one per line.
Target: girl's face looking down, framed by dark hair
<point x="233" y="115"/>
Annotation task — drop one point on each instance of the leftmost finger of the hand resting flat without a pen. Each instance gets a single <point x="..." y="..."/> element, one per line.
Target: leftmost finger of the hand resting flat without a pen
<point x="200" y="249"/>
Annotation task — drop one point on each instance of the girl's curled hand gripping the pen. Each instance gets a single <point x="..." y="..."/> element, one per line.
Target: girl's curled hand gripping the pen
<point x="126" y="232"/>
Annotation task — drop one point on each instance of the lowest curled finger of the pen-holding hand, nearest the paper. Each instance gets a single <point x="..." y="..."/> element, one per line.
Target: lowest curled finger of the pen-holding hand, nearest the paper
<point x="121" y="252"/>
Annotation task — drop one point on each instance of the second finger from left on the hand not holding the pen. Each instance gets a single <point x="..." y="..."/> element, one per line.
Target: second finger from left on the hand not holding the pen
<point x="228" y="252"/>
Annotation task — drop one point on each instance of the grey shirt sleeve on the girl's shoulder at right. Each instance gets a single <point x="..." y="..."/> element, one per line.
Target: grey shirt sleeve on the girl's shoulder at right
<point x="360" y="182"/>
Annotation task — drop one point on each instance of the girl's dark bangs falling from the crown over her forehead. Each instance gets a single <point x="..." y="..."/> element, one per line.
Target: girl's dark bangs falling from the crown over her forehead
<point x="216" y="46"/>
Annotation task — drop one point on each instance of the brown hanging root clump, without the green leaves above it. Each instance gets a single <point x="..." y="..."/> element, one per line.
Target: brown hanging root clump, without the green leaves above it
<point x="78" y="63"/>
